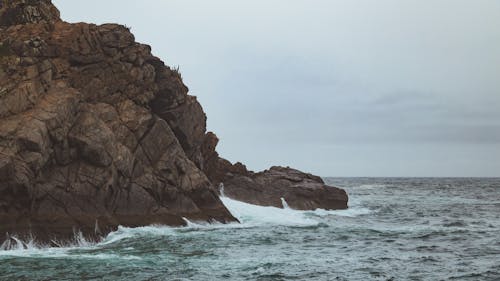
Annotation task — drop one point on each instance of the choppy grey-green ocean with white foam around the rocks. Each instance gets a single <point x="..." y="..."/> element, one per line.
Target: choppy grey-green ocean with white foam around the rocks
<point x="395" y="229"/>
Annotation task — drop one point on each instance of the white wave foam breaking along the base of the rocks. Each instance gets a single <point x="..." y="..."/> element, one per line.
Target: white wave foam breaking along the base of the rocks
<point x="249" y="215"/>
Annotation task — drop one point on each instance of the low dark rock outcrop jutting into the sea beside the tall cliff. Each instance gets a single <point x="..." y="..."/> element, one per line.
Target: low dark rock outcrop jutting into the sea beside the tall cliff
<point x="300" y="190"/>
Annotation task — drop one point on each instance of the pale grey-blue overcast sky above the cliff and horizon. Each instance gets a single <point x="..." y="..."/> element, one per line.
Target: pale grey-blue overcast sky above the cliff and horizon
<point x="337" y="88"/>
